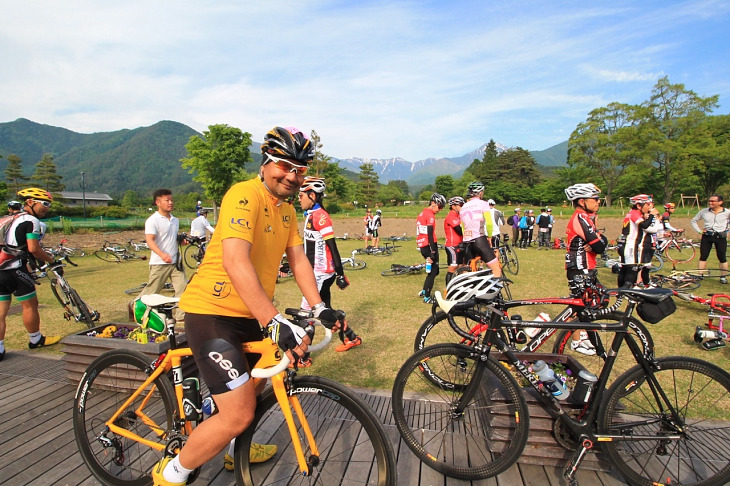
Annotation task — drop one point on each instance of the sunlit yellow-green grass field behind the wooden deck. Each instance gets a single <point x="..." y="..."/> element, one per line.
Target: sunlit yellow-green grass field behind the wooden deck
<point x="385" y="311"/>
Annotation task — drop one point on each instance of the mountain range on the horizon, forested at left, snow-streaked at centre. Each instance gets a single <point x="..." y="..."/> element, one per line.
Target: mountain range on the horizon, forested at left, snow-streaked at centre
<point x="145" y="158"/>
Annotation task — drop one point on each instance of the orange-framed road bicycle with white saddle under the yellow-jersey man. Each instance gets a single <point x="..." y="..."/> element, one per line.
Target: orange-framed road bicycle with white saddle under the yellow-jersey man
<point x="126" y="414"/>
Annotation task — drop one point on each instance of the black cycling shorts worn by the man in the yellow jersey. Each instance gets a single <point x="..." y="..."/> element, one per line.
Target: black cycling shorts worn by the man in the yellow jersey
<point x="216" y="344"/>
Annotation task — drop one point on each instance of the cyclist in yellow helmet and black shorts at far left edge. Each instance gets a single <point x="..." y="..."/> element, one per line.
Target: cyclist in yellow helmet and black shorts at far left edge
<point x="21" y="234"/>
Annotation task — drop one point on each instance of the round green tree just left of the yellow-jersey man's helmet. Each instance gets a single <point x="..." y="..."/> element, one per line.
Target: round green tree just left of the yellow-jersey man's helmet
<point x="218" y="159"/>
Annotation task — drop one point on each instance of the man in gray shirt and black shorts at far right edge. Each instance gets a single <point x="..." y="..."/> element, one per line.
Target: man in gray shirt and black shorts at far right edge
<point x="714" y="231"/>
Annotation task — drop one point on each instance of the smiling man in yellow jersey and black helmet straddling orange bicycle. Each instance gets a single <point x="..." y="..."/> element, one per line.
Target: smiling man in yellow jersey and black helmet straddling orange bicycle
<point x="229" y="300"/>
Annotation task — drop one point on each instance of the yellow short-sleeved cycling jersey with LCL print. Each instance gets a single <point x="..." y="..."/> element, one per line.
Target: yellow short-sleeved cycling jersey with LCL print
<point x="251" y="213"/>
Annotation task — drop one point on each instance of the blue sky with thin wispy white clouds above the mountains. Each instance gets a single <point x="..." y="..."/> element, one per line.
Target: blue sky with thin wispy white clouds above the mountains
<point x="375" y="79"/>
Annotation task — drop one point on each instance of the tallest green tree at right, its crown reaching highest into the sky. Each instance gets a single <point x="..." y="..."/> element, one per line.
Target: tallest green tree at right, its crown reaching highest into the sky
<point x="670" y="116"/>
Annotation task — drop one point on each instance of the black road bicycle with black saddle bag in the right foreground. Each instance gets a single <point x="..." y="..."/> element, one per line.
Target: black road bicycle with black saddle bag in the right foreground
<point x="664" y="421"/>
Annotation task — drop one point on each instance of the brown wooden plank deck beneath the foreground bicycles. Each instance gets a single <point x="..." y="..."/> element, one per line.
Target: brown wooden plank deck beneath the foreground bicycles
<point x="37" y="444"/>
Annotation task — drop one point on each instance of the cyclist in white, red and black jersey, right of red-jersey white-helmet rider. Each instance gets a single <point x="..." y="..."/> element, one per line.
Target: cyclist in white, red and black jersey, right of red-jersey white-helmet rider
<point x="635" y="246"/>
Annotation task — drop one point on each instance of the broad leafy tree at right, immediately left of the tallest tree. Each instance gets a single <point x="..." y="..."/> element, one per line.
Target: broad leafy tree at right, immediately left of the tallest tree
<point x="605" y="145"/>
